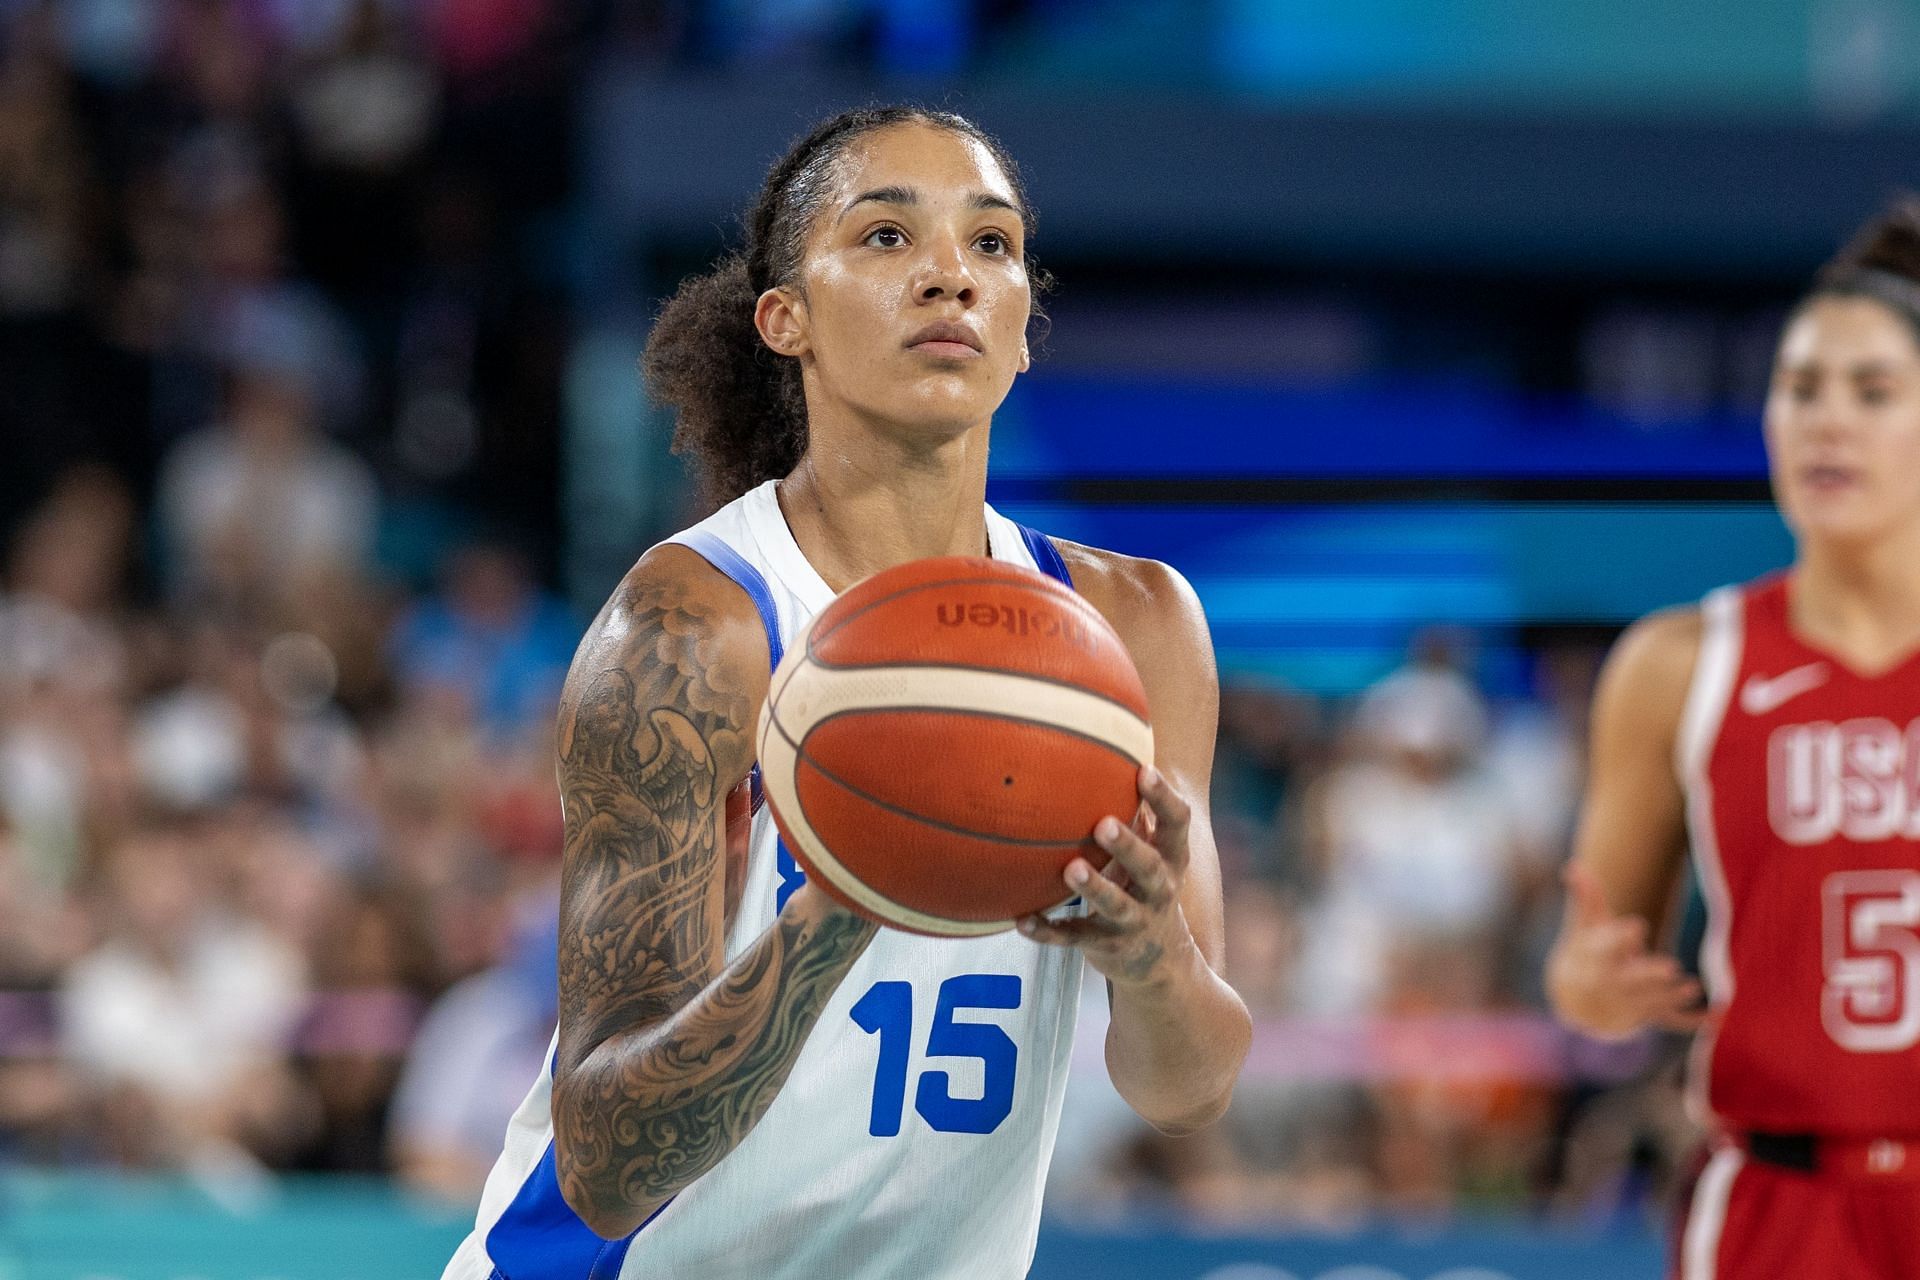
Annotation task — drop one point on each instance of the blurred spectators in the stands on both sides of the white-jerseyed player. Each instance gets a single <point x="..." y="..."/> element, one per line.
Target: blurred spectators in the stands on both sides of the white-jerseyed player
<point x="279" y="840"/>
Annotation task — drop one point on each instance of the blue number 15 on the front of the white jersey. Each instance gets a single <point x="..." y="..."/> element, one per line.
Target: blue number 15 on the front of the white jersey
<point x="888" y="1008"/>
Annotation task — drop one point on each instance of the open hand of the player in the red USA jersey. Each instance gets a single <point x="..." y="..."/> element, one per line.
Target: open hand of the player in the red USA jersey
<point x="1602" y="978"/>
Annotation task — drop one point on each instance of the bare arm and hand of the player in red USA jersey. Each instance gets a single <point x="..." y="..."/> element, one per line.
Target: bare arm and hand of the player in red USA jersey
<point x="1604" y="976"/>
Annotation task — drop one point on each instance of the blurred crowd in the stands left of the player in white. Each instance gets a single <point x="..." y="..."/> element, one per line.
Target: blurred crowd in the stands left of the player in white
<point x="281" y="354"/>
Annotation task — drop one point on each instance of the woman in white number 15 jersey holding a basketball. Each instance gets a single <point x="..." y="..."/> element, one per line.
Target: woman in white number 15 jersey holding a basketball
<point x="748" y="1081"/>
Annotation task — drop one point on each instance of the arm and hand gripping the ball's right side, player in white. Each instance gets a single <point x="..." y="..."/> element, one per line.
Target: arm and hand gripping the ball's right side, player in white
<point x="1180" y="1033"/>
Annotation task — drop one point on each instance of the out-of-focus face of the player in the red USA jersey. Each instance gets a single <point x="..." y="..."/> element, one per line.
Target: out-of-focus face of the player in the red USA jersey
<point x="1844" y="421"/>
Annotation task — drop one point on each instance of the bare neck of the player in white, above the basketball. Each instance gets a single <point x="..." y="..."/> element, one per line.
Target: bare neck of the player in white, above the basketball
<point x="859" y="508"/>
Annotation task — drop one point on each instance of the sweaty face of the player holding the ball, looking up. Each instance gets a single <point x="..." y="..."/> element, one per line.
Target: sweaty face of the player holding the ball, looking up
<point x="913" y="298"/>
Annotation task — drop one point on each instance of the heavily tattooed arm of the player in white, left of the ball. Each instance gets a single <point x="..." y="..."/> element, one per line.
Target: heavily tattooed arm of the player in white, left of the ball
<point x="669" y="1056"/>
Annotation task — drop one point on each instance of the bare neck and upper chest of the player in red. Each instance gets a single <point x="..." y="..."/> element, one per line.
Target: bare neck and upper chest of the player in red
<point x="1861" y="602"/>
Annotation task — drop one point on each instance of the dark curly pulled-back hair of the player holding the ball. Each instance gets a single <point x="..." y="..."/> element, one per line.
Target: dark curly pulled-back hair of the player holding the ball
<point x="742" y="417"/>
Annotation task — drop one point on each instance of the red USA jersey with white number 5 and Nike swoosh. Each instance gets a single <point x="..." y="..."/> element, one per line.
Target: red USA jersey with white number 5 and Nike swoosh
<point x="1804" y="811"/>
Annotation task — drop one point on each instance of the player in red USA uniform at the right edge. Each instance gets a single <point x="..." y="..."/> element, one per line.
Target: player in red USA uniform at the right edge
<point x="1777" y="730"/>
